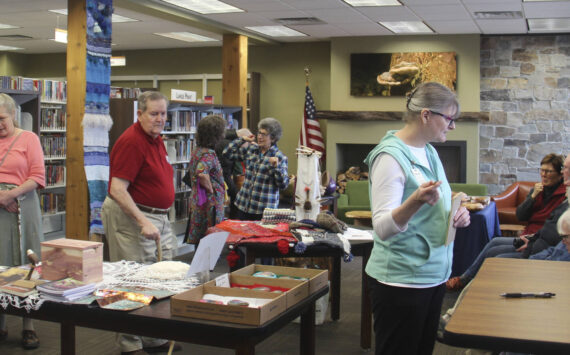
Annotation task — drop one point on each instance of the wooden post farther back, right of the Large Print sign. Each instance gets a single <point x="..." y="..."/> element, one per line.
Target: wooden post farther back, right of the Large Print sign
<point x="234" y="73"/>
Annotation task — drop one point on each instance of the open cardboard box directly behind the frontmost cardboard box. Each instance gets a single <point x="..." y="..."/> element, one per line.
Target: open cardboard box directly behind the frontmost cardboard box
<point x="298" y="289"/>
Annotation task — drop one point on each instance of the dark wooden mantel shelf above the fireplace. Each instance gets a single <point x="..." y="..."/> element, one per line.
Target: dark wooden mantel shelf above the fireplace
<point x="388" y="116"/>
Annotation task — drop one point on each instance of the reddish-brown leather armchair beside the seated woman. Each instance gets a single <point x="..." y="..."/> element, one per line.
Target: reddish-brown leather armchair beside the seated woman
<point x="508" y="201"/>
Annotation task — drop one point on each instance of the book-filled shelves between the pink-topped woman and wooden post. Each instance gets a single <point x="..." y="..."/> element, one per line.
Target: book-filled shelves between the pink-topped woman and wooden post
<point x="52" y="130"/>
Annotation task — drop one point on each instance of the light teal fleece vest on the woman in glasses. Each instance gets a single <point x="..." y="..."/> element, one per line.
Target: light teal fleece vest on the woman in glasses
<point x="418" y="255"/>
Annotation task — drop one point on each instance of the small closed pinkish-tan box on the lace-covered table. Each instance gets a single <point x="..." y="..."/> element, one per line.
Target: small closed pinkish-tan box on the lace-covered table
<point x="78" y="259"/>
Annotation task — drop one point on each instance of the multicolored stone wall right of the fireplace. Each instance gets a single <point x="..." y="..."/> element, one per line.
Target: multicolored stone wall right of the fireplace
<point x="524" y="87"/>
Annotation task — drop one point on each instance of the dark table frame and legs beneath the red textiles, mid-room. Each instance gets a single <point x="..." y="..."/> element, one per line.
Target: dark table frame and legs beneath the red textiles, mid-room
<point x="358" y="248"/>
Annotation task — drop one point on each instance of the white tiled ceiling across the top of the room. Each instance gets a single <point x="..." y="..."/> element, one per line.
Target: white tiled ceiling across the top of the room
<point x="340" y="20"/>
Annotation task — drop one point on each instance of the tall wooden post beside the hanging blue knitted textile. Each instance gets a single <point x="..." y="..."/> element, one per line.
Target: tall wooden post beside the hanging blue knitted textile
<point x="76" y="196"/>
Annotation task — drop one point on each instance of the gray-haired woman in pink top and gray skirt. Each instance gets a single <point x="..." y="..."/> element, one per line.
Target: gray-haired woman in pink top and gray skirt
<point x="21" y="173"/>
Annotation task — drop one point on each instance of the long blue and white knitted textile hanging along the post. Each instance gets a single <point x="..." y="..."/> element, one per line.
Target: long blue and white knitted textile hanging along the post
<point x="97" y="122"/>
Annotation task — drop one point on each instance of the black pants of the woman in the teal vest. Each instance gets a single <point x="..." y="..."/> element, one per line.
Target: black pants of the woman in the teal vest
<point x="405" y="319"/>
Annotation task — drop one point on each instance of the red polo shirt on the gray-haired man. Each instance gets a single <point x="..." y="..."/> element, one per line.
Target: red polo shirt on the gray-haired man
<point x="142" y="160"/>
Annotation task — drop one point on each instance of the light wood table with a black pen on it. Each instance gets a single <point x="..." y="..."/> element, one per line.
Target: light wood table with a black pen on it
<point x="485" y="320"/>
